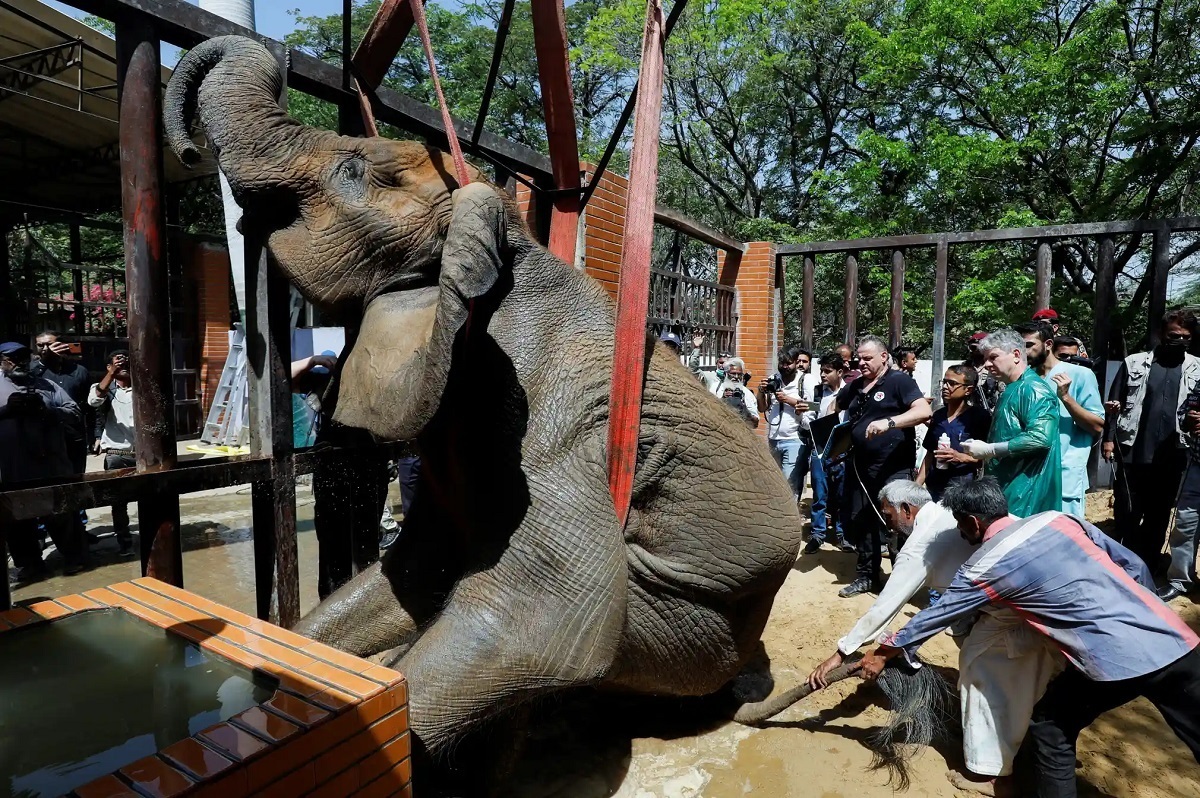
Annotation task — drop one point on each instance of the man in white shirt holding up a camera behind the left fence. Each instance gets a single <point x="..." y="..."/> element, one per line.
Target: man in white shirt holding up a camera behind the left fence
<point x="113" y="400"/>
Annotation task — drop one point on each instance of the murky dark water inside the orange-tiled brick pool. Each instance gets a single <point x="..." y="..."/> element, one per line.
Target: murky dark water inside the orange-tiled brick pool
<point x="91" y="693"/>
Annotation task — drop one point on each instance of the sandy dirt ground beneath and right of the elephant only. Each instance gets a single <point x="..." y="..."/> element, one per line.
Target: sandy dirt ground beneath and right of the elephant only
<point x="817" y="749"/>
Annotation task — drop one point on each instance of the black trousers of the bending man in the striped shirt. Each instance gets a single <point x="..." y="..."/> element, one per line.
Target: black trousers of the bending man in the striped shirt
<point x="1073" y="701"/>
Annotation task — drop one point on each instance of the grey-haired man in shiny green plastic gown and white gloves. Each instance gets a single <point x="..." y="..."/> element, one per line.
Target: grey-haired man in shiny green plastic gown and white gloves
<point x="1023" y="446"/>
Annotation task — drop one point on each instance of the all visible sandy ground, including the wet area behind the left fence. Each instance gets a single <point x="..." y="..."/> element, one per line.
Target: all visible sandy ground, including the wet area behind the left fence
<point x="604" y="747"/>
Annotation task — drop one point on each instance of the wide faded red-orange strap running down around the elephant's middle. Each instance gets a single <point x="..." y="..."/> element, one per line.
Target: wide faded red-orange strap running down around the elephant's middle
<point x="634" y="290"/>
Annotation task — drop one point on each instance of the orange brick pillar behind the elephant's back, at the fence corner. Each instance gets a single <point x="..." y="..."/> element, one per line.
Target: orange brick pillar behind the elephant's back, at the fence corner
<point x="760" y="316"/>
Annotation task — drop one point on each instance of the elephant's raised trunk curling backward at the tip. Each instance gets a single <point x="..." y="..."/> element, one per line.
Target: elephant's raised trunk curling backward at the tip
<point x="233" y="85"/>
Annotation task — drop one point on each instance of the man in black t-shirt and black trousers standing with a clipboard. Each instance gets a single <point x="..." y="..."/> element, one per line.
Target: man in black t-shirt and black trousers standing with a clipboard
<point x="885" y="407"/>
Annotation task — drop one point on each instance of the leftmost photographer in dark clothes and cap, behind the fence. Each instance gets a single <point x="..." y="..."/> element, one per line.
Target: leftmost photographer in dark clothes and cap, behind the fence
<point x="37" y="421"/>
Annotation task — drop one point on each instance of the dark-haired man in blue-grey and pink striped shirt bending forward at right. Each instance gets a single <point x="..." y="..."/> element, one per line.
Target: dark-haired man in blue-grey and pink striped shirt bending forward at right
<point x="1093" y="598"/>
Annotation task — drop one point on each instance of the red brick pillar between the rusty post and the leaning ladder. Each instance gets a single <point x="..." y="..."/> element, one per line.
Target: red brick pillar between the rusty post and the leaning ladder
<point x="211" y="265"/>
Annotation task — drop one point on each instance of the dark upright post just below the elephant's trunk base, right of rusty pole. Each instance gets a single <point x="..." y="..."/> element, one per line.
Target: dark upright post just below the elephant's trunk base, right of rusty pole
<point x="273" y="501"/>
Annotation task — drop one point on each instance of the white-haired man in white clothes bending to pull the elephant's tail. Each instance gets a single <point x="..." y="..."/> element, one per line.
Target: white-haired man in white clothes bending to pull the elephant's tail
<point x="1004" y="667"/>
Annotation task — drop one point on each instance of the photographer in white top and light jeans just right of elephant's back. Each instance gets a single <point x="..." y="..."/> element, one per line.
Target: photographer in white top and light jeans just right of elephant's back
<point x="782" y="398"/>
